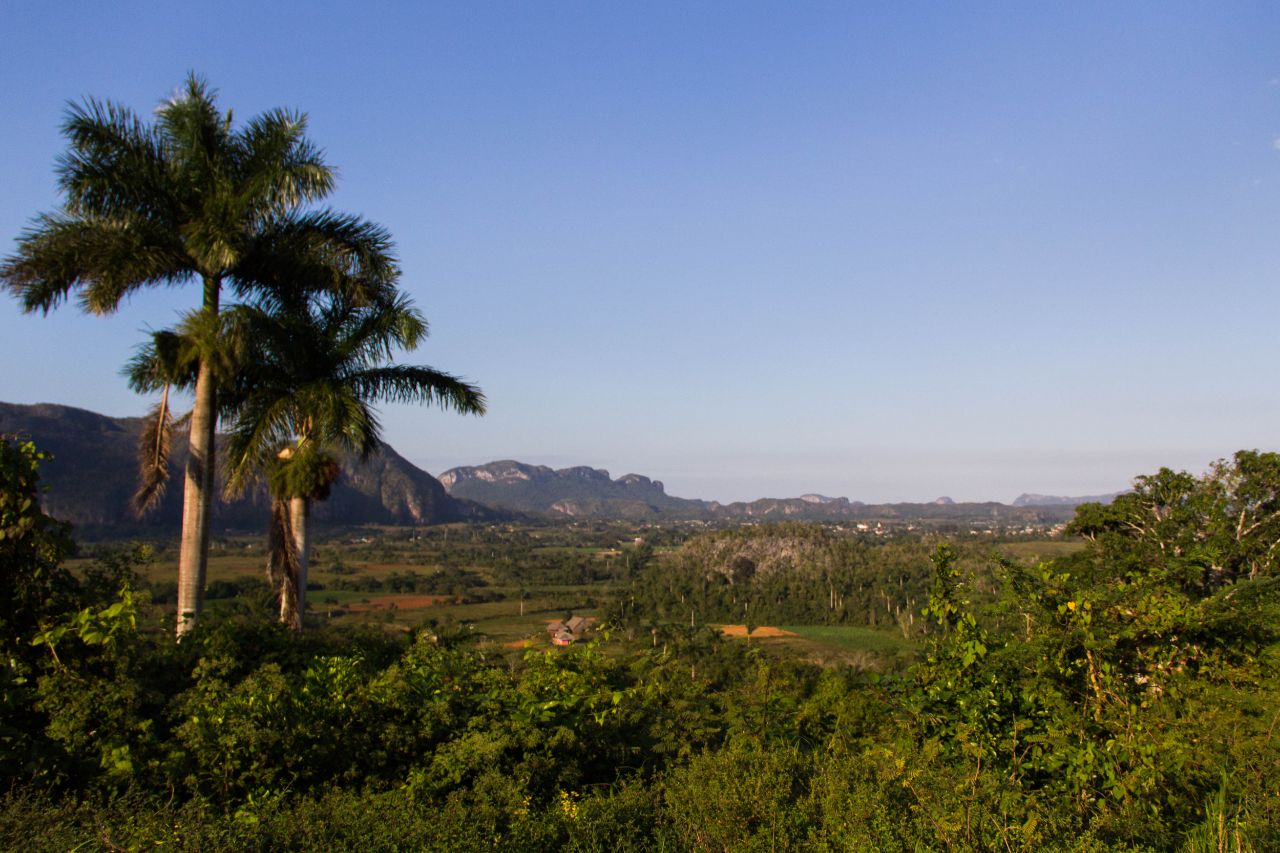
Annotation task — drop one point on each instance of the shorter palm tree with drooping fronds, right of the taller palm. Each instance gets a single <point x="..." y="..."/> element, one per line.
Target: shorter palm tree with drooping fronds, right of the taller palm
<point x="303" y="399"/>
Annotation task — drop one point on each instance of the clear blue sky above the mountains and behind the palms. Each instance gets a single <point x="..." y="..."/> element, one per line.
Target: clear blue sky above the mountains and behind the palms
<point x="889" y="252"/>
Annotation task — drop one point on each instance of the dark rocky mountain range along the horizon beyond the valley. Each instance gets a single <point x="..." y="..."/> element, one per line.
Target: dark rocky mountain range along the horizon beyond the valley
<point x="93" y="476"/>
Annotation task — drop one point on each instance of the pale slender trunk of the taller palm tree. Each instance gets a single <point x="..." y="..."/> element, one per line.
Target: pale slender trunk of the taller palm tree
<point x="199" y="487"/>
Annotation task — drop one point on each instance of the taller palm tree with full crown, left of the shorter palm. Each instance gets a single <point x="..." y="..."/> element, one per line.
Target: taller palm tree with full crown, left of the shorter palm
<point x="193" y="199"/>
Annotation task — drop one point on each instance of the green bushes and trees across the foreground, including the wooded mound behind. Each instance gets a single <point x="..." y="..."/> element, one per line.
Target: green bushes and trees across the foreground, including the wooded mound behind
<point x="1123" y="697"/>
